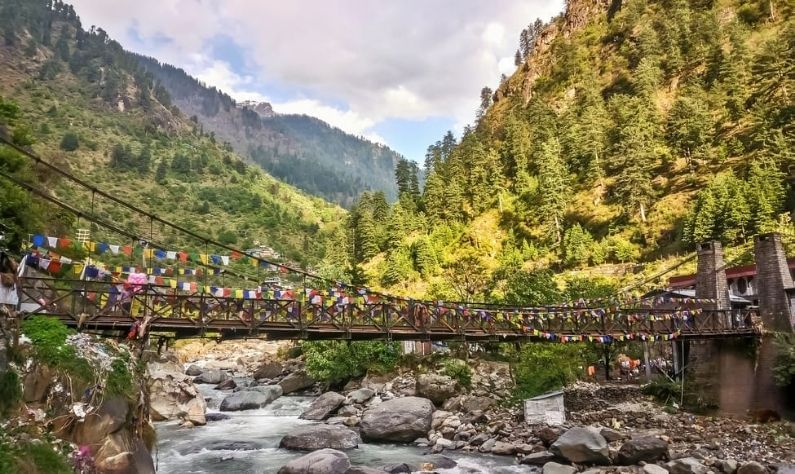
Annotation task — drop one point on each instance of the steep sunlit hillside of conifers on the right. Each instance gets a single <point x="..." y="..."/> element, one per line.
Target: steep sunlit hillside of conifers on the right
<point x="629" y="131"/>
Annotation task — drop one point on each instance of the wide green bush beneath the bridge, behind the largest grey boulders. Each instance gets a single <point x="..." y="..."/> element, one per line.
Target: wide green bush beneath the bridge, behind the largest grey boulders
<point x="338" y="361"/>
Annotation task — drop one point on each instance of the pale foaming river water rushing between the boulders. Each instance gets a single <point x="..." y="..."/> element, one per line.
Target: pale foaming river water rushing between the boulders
<point x="248" y="442"/>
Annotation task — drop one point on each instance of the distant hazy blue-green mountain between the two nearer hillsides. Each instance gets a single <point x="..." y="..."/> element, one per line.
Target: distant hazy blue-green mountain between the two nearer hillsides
<point x="301" y="150"/>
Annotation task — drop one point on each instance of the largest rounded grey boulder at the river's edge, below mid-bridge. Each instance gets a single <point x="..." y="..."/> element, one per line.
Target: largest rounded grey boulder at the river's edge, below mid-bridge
<point x="400" y="419"/>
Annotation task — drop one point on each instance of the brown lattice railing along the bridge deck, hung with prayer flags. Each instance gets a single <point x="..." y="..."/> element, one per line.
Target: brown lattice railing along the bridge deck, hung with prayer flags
<point x="103" y="303"/>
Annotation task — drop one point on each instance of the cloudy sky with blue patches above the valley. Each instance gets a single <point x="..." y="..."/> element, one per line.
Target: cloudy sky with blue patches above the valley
<point x="398" y="72"/>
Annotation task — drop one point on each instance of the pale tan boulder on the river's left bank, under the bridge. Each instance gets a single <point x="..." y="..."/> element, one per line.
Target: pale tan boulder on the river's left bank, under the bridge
<point x="172" y="395"/>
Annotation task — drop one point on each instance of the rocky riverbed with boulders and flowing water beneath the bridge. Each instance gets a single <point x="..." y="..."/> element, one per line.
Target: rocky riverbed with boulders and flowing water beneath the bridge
<point x="272" y="417"/>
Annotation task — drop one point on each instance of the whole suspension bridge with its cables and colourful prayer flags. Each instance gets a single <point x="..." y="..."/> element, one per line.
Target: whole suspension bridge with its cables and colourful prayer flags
<point x="335" y="310"/>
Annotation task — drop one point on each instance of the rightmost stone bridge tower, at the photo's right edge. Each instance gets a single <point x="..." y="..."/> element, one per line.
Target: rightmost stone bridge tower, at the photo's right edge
<point x="775" y="288"/>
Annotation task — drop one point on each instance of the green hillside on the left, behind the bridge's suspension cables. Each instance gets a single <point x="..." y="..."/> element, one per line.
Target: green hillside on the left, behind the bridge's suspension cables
<point x="79" y="100"/>
